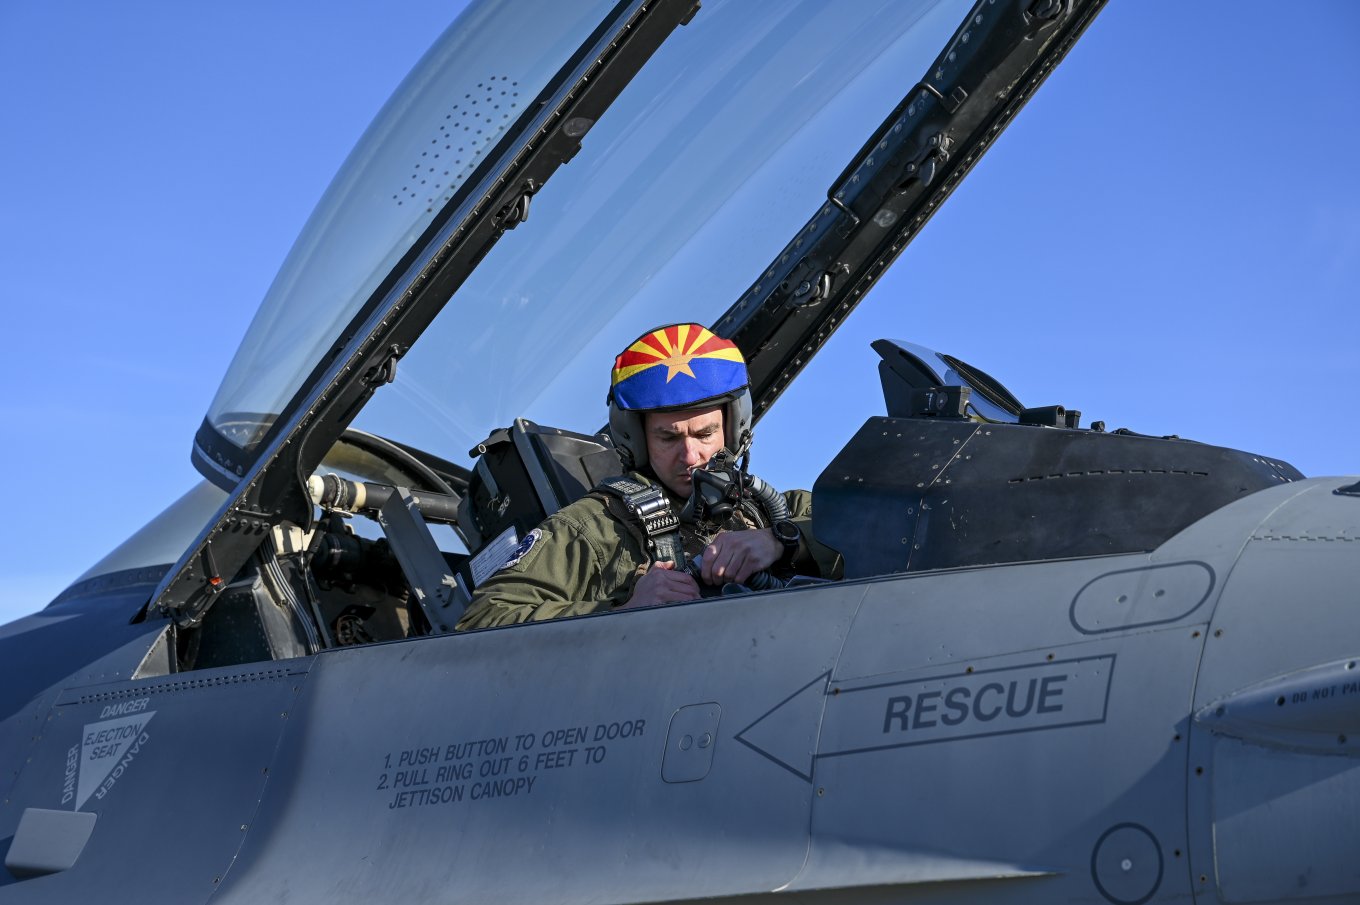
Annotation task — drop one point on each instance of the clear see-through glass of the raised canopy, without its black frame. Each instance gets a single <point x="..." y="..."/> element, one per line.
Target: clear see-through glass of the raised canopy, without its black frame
<point x="708" y="163"/>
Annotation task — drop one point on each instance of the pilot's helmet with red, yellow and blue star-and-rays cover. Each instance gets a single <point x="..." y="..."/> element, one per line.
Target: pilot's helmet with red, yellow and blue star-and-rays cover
<point x="677" y="368"/>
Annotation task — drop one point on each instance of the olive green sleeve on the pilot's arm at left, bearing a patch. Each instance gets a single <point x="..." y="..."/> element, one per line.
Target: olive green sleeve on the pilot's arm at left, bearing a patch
<point x="566" y="570"/>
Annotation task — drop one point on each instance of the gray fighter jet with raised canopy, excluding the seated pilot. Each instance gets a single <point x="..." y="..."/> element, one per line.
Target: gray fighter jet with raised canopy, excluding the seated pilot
<point x="1066" y="663"/>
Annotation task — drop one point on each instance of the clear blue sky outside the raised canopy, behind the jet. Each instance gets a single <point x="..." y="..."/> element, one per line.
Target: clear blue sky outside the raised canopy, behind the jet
<point x="1168" y="239"/>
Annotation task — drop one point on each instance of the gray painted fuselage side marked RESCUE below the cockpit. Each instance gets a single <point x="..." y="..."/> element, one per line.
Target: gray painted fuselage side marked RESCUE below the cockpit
<point x="579" y="730"/>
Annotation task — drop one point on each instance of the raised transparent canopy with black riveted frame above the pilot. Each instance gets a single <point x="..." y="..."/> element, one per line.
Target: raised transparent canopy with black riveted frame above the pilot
<point x="750" y="167"/>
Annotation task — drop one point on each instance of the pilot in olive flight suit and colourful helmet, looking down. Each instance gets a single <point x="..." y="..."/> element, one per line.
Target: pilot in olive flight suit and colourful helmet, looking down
<point x="679" y="397"/>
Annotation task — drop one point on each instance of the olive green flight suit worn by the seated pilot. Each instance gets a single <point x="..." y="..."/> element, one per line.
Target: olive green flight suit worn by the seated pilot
<point x="585" y="560"/>
